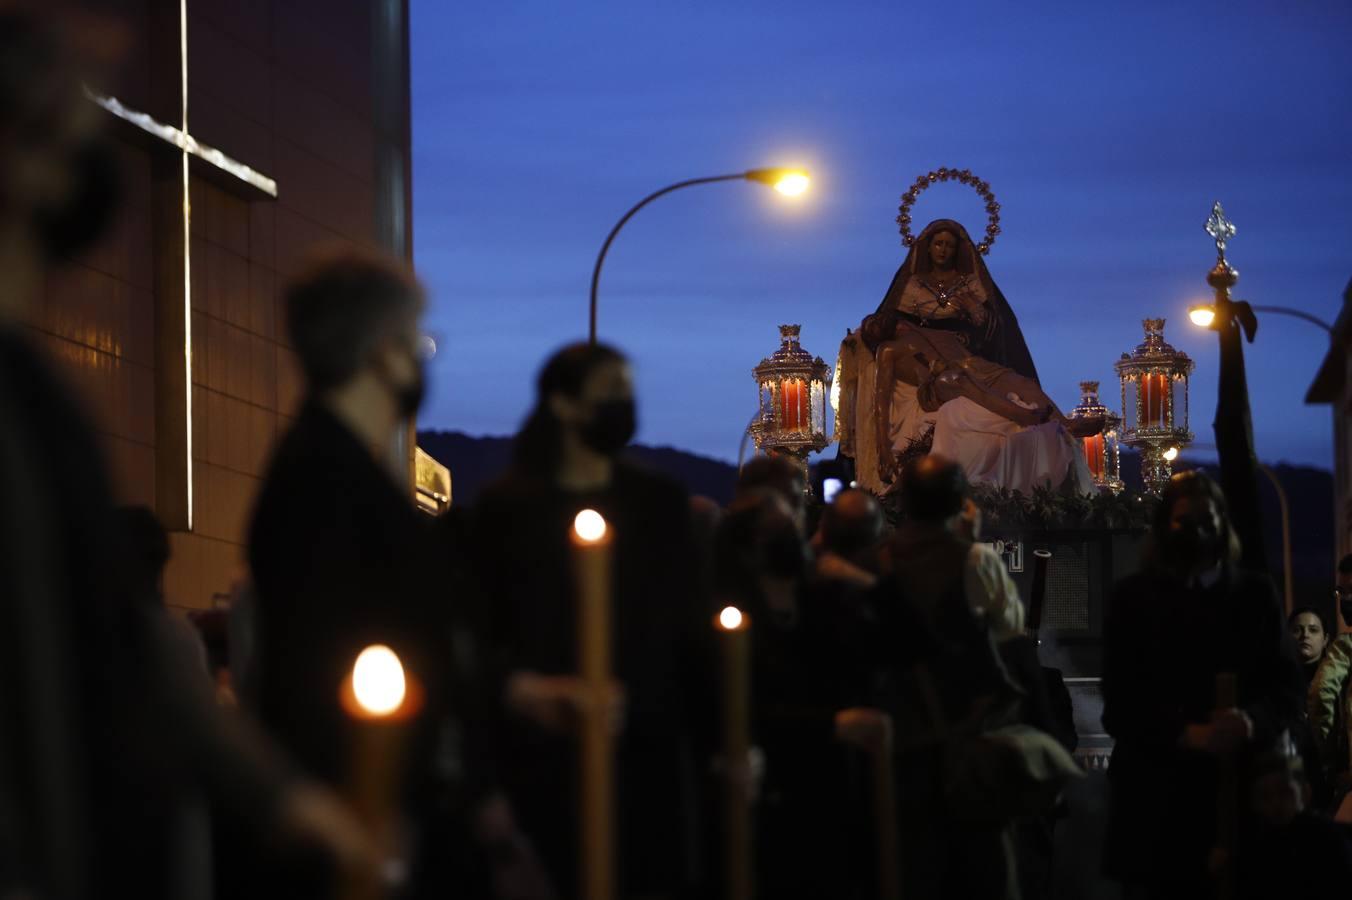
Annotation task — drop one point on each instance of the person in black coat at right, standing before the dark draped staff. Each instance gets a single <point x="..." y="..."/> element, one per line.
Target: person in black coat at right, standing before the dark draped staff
<point x="1161" y="695"/>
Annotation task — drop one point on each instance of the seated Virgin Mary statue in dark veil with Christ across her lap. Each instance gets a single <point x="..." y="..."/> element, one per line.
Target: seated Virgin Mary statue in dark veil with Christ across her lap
<point x="943" y="361"/>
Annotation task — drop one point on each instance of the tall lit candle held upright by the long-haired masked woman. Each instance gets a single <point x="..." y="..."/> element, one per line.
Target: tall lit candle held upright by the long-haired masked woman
<point x="591" y="553"/>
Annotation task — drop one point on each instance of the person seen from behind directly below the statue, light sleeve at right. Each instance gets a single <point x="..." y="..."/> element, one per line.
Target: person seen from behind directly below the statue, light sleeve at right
<point x="967" y="766"/>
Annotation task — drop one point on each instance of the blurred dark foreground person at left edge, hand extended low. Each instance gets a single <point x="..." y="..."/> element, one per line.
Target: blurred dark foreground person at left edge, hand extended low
<point x="98" y="730"/>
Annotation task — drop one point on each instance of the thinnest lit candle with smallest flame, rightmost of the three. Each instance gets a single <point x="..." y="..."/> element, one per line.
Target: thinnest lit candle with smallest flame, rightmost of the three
<point x="735" y="630"/>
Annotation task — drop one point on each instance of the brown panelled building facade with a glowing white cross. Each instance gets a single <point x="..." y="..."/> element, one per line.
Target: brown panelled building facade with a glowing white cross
<point x="252" y="133"/>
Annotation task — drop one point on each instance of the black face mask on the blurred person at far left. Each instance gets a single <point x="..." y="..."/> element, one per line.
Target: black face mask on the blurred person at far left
<point x="95" y="197"/>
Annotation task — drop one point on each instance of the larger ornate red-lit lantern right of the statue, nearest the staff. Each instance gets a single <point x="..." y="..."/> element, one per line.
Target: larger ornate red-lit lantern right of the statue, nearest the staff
<point x="1155" y="403"/>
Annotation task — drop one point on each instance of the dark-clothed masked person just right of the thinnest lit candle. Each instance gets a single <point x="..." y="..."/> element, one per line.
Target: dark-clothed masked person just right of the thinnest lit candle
<point x="812" y="682"/>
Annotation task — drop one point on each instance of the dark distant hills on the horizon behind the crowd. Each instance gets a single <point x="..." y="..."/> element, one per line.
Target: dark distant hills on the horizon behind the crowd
<point x="477" y="461"/>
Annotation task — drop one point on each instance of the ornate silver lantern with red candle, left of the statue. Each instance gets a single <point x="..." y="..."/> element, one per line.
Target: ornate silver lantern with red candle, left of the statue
<point x="794" y="390"/>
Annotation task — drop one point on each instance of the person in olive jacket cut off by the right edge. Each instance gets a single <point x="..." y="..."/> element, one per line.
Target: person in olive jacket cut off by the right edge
<point x="1330" y="703"/>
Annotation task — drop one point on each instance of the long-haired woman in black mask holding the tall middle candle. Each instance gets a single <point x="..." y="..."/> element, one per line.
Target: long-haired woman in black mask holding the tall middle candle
<point x="569" y="457"/>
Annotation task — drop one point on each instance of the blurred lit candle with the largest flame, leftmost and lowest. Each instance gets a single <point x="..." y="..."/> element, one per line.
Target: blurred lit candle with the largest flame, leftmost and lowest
<point x="382" y="699"/>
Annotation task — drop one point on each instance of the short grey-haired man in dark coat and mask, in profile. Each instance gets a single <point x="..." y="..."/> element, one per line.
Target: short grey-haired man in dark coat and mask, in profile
<point x="341" y="559"/>
